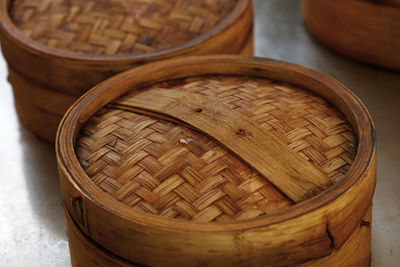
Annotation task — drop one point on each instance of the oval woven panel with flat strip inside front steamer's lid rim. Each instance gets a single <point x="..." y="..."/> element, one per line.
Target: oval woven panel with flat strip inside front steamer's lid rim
<point x="171" y="170"/>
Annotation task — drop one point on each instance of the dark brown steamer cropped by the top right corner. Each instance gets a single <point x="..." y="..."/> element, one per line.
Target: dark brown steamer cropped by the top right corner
<point x="368" y="31"/>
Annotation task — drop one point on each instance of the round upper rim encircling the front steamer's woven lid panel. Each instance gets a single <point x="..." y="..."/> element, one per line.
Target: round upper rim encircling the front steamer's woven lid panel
<point x="97" y="97"/>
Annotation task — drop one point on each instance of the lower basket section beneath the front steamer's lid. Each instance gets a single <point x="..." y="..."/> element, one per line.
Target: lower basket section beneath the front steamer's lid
<point x="356" y="251"/>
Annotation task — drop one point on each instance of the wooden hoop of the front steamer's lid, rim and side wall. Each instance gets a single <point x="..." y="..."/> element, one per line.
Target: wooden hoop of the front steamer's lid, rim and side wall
<point x="306" y="231"/>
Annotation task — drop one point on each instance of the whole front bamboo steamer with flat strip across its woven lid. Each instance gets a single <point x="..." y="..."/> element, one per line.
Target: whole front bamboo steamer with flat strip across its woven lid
<point x="218" y="160"/>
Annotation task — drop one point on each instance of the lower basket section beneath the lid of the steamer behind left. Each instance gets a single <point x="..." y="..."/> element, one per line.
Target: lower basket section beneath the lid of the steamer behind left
<point x="41" y="109"/>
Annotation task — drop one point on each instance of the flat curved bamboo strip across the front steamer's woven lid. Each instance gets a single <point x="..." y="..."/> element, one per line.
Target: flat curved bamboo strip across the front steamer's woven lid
<point x="257" y="148"/>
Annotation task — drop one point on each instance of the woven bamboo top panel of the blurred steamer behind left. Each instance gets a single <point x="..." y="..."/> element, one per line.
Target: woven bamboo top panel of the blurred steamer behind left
<point x="122" y="27"/>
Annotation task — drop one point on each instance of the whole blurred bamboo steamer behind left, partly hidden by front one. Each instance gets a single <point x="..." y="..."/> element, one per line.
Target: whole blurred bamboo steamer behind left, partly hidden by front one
<point x="57" y="50"/>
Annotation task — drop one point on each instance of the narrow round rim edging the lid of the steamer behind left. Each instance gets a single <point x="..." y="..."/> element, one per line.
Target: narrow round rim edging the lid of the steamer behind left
<point x="8" y="26"/>
